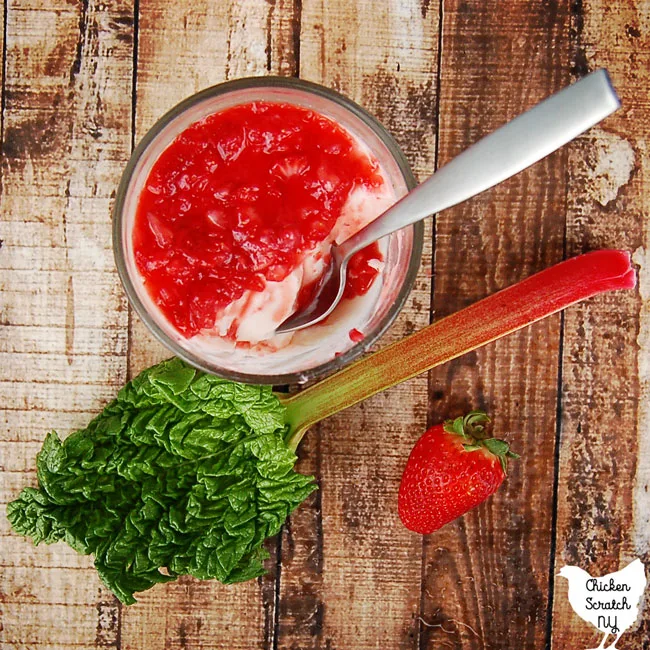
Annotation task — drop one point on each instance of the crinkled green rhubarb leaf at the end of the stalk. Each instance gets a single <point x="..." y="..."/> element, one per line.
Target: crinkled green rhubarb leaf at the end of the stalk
<point x="184" y="473"/>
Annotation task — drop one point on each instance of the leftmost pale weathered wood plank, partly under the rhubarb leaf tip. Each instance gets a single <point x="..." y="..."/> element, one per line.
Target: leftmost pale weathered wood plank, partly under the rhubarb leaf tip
<point x="66" y="136"/>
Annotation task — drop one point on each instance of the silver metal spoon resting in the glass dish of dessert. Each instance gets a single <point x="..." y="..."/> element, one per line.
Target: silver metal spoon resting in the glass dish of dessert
<point x="499" y="155"/>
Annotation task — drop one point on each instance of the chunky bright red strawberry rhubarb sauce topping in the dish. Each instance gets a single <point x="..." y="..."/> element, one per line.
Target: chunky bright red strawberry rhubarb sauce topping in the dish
<point x="239" y="199"/>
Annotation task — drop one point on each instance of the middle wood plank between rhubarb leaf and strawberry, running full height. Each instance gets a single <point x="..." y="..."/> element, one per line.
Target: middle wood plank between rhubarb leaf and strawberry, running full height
<point x="350" y="572"/>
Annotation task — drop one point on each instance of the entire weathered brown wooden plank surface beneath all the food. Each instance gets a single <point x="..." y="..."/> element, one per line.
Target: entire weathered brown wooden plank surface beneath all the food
<point x="82" y="80"/>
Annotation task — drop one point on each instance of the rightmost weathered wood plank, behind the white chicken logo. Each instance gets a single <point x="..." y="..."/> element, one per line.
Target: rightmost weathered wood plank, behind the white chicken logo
<point x="603" y="519"/>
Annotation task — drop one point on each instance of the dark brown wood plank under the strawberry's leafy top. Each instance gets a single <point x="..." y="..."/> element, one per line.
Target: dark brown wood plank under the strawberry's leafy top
<point x="485" y="579"/>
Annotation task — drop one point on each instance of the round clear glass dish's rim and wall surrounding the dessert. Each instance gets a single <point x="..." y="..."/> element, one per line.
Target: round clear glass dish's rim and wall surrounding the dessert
<point x="402" y="250"/>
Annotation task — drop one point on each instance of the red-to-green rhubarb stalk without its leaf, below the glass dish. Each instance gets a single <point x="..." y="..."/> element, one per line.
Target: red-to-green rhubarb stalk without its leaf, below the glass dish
<point x="489" y="319"/>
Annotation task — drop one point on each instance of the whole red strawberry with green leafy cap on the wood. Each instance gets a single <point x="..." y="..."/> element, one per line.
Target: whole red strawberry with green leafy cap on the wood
<point x="452" y="468"/>
